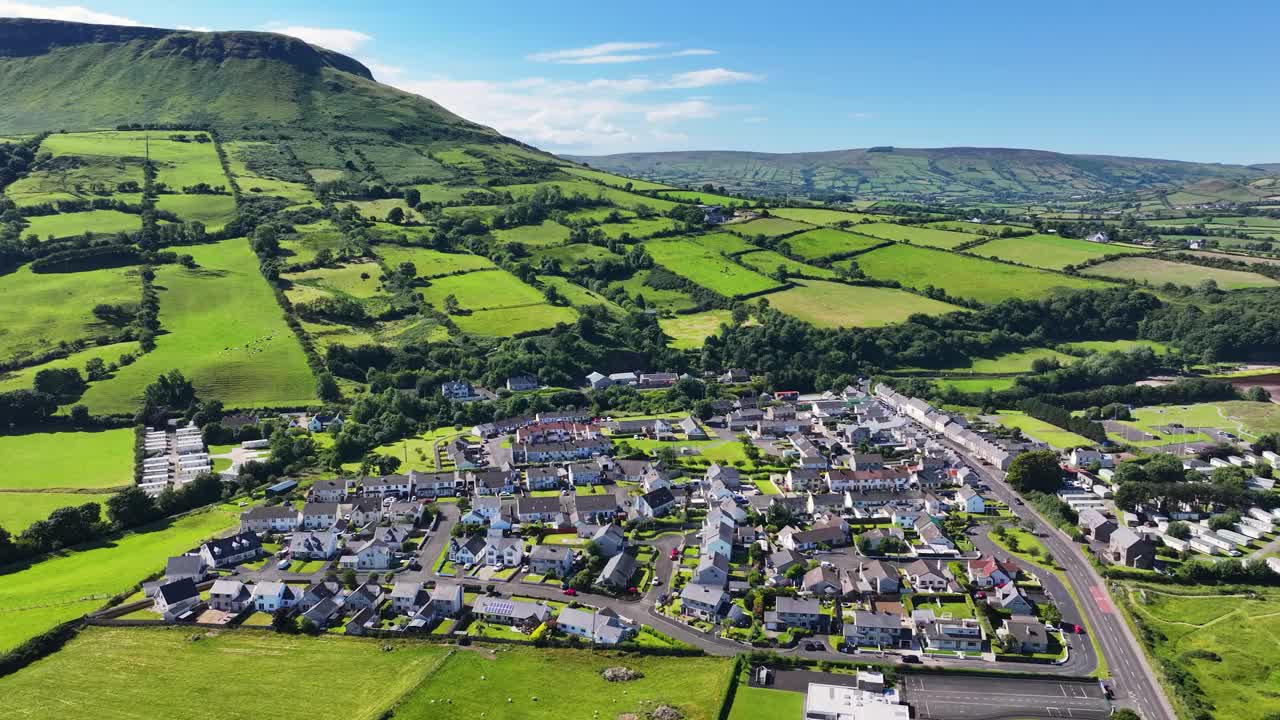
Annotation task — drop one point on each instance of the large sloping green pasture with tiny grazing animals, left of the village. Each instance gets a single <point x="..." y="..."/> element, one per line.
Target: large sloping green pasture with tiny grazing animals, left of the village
<point x="222" y="327"/>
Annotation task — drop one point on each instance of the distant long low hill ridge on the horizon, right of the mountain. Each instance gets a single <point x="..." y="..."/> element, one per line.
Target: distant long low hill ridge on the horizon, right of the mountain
<point x="944" y="174"/>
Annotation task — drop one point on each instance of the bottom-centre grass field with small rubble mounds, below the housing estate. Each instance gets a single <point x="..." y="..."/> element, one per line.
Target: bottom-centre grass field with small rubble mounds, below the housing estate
<point x="479" y="682"/>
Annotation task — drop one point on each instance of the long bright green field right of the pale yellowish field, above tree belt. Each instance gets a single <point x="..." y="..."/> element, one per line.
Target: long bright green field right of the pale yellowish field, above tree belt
<point x="966" y="277"/>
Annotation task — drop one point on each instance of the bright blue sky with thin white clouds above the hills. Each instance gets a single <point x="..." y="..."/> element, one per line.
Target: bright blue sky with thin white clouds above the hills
<point x="1192" y="81"/>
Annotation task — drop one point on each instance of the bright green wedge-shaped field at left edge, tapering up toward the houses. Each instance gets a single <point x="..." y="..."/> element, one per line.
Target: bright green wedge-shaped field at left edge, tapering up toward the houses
<point x="62" y="589"/>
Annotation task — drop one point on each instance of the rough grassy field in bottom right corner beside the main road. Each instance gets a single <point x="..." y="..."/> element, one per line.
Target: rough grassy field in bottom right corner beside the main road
<point x="1200" y="631"/>
